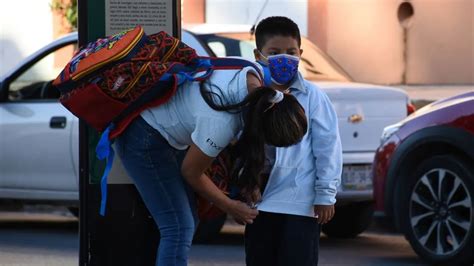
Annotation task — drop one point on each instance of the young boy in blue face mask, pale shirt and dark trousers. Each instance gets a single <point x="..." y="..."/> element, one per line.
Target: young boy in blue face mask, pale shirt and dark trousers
<point x="299" y="194"/>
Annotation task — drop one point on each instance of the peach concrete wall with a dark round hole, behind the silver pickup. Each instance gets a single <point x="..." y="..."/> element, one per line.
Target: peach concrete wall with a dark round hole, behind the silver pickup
<point x="368" y="40"/>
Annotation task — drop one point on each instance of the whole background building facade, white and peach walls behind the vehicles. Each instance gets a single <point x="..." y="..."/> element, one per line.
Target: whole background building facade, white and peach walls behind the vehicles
<point x="377" y="41"/>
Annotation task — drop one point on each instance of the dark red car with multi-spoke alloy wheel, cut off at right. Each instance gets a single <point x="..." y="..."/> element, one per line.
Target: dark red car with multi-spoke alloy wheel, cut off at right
<point x="424" y="179"/>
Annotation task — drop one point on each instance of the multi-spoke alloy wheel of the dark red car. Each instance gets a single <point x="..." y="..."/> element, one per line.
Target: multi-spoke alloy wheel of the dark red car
<point x="436" y="208"/>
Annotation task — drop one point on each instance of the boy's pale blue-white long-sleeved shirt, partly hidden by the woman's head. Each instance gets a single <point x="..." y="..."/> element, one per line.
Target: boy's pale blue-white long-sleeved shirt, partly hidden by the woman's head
<point x="308" y="173"/>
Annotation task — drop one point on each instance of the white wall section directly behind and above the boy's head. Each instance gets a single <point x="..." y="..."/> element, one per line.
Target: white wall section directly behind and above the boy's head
<point x="246" y="11"/>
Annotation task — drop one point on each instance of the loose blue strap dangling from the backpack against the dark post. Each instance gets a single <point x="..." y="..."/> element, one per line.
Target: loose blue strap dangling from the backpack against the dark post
<point x="104" y="151"/>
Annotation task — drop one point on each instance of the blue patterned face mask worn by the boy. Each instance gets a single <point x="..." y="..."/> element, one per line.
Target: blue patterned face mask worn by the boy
<point x="281" y="67"/>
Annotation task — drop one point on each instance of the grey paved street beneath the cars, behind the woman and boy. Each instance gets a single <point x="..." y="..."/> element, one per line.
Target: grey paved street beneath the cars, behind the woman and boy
<point x="51" y="239"/>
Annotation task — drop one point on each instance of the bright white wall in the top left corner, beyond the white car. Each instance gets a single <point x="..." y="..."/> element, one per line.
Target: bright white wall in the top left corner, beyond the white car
<point x="25" y="26"/>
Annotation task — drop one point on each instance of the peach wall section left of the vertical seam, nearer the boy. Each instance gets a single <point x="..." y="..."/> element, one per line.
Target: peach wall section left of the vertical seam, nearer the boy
<point x="364" y="36"/>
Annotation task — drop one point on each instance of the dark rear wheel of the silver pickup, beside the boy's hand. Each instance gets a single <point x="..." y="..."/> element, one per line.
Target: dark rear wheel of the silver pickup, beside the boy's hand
<point x="350" y="220"/>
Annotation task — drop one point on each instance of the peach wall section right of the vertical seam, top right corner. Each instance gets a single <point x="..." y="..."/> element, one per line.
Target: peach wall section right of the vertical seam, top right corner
<point x="440" y="42"/>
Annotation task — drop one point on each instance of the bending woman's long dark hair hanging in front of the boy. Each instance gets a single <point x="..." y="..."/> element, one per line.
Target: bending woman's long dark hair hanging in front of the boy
<point x="279" y="124"/>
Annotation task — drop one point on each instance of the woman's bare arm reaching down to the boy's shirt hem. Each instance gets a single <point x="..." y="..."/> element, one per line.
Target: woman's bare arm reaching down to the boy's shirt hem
<point x="194" y="164"/>
